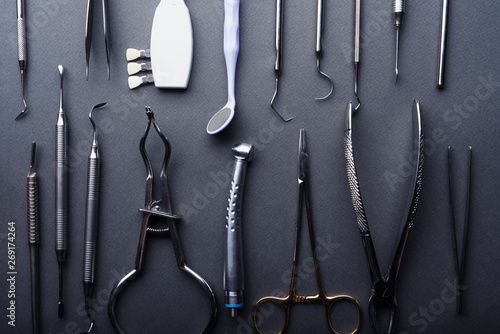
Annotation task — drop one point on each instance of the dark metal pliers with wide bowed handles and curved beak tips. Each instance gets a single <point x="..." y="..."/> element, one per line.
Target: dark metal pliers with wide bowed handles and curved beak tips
<point x="161" y="209"/>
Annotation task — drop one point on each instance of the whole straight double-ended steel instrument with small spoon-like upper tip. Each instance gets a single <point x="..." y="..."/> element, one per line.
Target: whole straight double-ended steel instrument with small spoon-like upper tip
<point x="61" y="192"/>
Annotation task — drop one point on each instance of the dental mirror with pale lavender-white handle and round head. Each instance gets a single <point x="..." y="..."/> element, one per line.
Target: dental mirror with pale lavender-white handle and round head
<point x="223" y="117"/>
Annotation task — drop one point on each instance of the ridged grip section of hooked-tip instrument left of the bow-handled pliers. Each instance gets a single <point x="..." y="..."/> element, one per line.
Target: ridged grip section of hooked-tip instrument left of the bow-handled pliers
<point x="91" y="219"/>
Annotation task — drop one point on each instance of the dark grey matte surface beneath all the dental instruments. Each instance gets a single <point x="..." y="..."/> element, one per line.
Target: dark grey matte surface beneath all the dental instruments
<point x="163" y="300"/>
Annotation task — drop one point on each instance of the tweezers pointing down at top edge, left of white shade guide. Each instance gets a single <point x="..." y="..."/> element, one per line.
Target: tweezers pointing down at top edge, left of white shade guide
<point x="89" y="27"/>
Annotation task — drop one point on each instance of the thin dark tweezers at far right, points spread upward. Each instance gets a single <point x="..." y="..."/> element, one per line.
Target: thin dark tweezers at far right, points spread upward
<point x="459" y="261"/>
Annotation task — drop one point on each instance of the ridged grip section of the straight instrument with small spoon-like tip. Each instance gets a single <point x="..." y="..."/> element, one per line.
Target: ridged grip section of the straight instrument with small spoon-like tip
<point x="61" y="188"/>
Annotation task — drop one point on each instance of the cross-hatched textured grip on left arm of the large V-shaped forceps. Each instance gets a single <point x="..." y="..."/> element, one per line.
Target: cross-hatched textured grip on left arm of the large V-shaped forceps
<point x="357" y="201"/>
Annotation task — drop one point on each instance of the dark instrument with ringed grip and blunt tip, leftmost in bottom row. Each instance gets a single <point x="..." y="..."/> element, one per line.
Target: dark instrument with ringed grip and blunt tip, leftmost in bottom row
<point x="34" y="241"/>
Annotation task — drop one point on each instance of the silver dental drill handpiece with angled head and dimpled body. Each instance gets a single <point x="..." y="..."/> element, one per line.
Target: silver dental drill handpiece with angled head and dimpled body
<point x="234" y="282"/>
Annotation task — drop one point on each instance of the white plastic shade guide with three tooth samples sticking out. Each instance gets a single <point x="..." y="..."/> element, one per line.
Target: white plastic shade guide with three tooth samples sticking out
<point x="171" y="49"/>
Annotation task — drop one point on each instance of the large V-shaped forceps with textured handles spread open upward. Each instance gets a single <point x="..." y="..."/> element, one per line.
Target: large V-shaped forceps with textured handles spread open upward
<point x="383" y="287"/>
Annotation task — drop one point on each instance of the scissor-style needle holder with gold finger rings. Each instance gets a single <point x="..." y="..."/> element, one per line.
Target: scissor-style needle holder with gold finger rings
<point x="320" y="298"/>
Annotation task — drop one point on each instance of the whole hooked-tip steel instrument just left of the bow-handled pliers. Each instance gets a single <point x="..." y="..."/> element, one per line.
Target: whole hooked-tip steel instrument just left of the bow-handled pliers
<point x="91" y="219"/>
